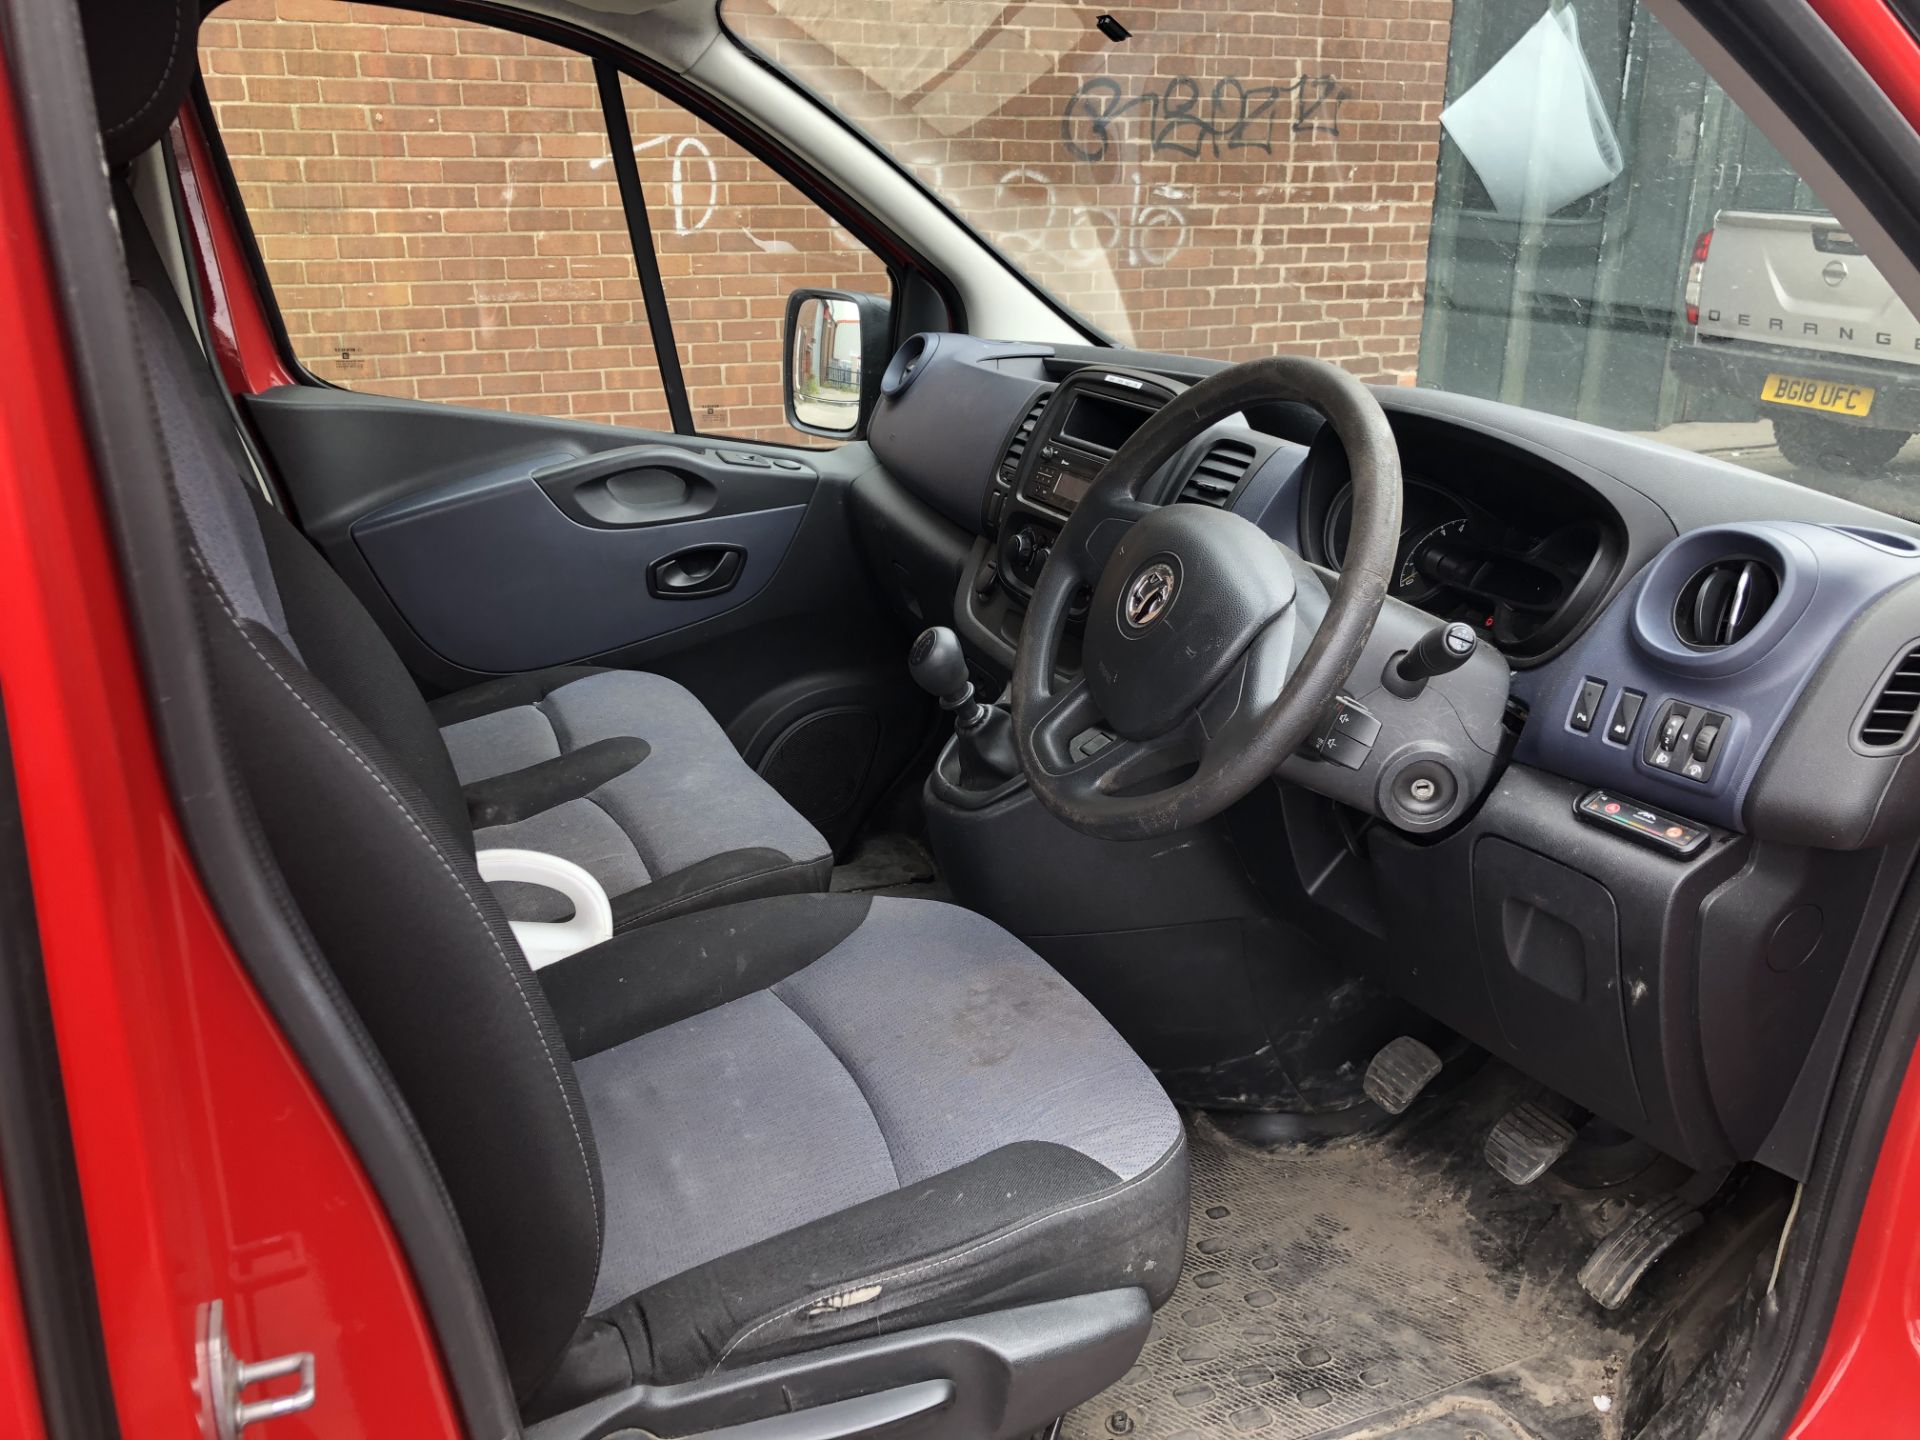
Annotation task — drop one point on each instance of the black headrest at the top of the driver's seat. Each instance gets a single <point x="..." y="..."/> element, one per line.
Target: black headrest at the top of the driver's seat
<point x="141" y="55"/>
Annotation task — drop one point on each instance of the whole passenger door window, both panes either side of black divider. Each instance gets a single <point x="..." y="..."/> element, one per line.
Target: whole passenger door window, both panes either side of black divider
<point x="441" y="220"/>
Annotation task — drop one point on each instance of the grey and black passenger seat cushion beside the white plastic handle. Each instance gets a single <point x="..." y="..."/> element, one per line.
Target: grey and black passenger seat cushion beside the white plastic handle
<point x="629" y="777"/>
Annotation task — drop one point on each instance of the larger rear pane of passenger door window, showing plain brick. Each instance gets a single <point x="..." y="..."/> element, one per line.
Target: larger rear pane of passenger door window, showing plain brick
<point x="437" y="208"/>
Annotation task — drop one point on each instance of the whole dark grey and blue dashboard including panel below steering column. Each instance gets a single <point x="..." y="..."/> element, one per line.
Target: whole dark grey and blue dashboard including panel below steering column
<point x="1673" y="798"/>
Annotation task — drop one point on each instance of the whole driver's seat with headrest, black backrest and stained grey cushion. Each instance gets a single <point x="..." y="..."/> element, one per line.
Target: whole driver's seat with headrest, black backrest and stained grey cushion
<point x="802" y="1151"/>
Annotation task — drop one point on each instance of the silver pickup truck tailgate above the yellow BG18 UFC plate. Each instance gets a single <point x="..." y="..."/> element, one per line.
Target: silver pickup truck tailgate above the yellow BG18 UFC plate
<point x="1800" y="281"/>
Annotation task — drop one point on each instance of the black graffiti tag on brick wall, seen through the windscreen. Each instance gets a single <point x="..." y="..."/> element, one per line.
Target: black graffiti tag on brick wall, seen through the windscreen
<point x="1178" y="118"/>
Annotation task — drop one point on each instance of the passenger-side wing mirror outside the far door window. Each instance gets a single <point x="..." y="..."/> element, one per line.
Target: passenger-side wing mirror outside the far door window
<point x="836" y="350"/>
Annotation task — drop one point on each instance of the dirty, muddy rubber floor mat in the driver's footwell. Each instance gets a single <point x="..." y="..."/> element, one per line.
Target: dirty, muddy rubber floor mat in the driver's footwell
<point x="1387" y="1285"/>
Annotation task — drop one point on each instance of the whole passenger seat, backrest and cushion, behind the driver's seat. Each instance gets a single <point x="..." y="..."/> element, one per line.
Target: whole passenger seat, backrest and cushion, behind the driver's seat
<point x="623" y="773"/>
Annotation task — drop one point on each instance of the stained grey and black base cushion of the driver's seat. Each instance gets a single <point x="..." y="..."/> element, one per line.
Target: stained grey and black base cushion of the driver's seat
<point x="953" y="1130"/>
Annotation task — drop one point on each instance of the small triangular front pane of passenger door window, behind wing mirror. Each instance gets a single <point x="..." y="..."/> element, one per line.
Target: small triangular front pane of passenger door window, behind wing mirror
<point x="734" y="243"/>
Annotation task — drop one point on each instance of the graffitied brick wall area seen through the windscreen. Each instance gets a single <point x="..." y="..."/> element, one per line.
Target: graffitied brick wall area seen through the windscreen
<point x="1230" y="181"/>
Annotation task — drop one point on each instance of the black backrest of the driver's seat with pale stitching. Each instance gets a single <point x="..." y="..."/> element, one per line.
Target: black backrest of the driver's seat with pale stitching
<point x="383" y="871"/>
